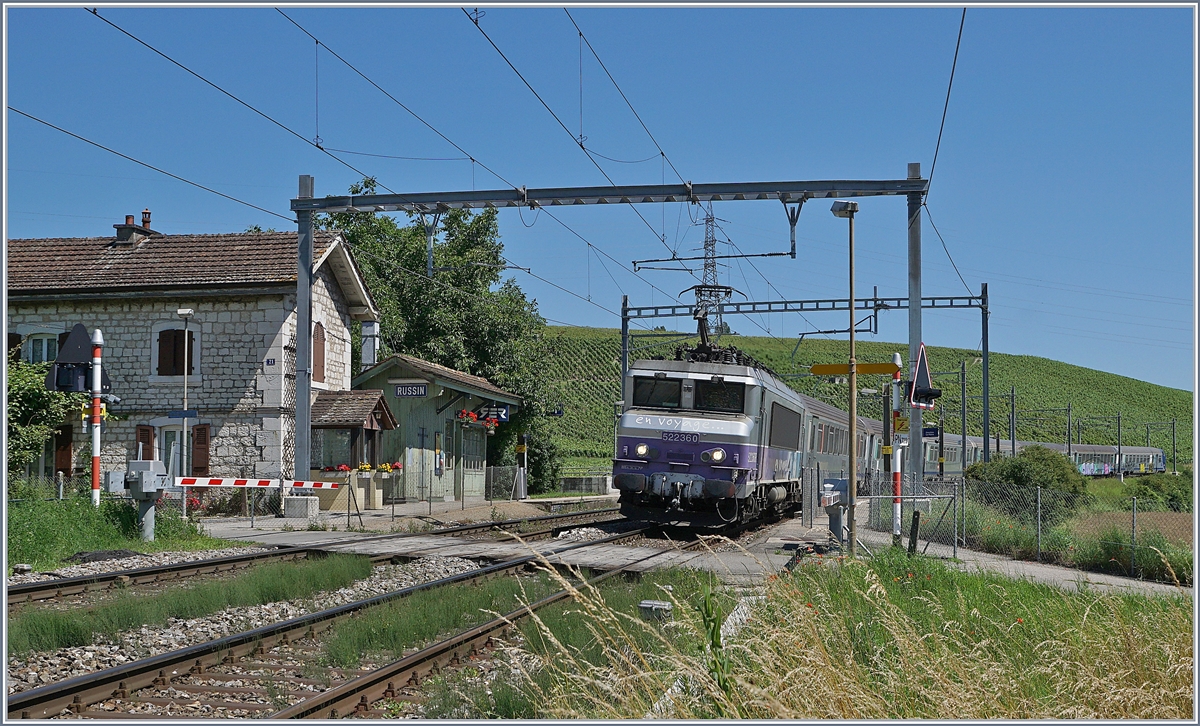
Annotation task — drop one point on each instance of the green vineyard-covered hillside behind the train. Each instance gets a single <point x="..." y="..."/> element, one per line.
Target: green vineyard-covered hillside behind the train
<point x="586" y="379"/>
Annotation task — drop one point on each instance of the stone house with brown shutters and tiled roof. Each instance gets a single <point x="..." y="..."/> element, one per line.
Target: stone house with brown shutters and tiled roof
<point x="242" y="338"/>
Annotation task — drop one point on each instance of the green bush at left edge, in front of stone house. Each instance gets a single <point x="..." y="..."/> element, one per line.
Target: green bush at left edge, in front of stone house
<point x="34" y="412"/>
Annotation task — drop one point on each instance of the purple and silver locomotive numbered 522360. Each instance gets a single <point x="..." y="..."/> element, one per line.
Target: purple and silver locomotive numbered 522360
<point x="709" y="440"/>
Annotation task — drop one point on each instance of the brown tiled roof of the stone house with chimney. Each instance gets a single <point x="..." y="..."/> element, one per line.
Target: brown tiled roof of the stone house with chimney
<point x="45" y="266"/>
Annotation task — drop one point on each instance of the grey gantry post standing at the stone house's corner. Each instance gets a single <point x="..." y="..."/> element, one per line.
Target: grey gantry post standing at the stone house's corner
<point x="304" y="337"/>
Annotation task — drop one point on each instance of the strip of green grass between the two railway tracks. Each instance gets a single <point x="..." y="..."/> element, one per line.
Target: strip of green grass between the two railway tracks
<point x="52" y="629"/>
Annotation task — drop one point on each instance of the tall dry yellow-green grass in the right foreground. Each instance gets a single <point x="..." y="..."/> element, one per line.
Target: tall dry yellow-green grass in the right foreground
<point x="892" y="638"/>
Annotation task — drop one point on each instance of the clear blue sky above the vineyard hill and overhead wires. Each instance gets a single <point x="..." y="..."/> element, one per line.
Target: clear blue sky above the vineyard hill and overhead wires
<point x="1065" y="177"/>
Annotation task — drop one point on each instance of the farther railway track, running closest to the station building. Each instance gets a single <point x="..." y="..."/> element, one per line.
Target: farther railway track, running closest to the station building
<point x="65" y="587"/>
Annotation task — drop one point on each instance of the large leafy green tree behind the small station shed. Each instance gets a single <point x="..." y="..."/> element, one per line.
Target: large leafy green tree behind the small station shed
<point x="469" y="317"/>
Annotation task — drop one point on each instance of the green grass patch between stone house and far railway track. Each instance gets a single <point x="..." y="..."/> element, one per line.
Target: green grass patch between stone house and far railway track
<point x="45" y="533"/>
